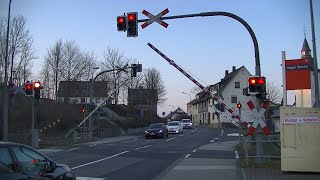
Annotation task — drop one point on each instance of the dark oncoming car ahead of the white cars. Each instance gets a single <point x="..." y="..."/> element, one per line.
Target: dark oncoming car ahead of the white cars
<point x="156" y="130"/>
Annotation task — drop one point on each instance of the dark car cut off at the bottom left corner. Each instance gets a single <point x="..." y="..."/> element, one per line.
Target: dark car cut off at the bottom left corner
<point x="19" y="161"/>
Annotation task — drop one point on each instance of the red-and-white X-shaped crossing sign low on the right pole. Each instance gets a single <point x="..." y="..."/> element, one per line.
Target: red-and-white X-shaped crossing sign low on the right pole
<point x="258" y="118"/>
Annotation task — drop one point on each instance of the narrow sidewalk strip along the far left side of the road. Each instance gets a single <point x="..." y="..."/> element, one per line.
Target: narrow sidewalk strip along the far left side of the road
<point x="100" y="141"/>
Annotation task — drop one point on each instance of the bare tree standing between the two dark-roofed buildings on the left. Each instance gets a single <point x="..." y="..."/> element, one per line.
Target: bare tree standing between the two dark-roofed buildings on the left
<point x="114" y="59"/>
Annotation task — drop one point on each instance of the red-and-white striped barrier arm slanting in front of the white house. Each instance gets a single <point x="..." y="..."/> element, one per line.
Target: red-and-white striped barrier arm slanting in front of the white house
<point x="216" y="98"/>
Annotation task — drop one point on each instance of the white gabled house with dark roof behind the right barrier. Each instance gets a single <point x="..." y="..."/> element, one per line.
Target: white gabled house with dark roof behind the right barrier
<point x="230" y="90"/>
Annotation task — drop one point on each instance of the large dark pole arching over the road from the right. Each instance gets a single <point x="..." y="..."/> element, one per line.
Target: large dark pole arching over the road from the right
<point x="259" y="149"/>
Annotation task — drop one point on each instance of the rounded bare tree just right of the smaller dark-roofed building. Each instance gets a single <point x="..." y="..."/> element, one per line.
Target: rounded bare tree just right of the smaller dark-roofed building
<point x="152" y="80"/>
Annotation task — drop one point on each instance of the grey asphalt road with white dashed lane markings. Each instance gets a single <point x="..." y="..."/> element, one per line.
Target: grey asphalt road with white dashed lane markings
<point x="137" y="159"/>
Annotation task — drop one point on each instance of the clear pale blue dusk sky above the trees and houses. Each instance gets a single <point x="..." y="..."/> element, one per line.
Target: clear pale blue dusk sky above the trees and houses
<point x="204" y="46"/>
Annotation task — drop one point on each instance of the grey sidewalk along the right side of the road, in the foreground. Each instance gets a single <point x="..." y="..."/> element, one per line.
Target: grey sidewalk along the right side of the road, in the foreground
<point x="206" y="168"/>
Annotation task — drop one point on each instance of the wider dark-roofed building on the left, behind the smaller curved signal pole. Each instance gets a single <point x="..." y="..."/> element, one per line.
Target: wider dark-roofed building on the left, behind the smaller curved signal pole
<point x="77" y="92"/>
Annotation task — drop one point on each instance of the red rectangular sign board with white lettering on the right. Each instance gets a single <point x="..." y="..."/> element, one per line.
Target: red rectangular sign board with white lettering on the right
<point x="298" y="74"/>
